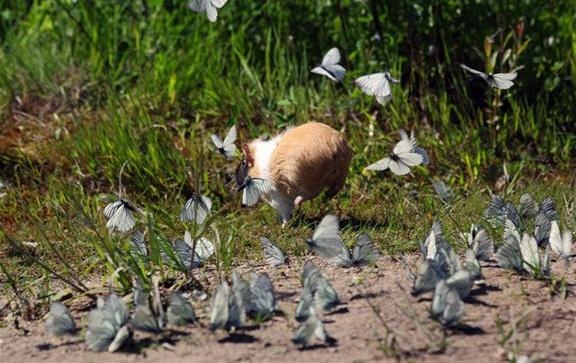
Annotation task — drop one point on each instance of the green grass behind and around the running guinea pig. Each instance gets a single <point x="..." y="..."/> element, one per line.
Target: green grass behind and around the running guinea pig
<point x="96" y="86"/>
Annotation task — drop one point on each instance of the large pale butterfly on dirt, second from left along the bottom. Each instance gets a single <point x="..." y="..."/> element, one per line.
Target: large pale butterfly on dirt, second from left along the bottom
<point x="107" y="328"/>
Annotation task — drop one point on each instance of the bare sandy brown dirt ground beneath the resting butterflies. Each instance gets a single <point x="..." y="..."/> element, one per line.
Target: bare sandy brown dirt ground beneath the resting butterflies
<point x="378" y="321"/>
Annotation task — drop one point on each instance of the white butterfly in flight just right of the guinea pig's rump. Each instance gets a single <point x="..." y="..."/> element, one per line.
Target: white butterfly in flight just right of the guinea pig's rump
<point x="402" y="157"/>
